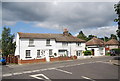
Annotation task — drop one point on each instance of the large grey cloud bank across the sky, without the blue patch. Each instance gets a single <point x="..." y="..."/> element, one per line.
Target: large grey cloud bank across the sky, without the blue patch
<point x="72" y="15"/>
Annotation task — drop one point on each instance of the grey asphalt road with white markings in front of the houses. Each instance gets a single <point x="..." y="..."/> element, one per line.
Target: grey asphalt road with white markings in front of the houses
<point x="90" y="69"/>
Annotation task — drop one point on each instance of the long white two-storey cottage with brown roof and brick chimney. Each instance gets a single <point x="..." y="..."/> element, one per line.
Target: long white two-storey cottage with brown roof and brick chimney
<point x="38" y="46"/>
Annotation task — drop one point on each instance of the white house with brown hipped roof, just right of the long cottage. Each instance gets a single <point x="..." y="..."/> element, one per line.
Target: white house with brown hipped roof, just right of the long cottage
<point x="96" y="46"/>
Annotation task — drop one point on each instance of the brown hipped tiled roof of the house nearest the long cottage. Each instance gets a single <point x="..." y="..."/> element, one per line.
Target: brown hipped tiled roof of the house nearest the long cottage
<point x="95" y="41"/>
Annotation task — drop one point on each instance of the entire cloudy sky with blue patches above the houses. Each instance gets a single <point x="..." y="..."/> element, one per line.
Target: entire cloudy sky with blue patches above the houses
<point x="96" y="18"/>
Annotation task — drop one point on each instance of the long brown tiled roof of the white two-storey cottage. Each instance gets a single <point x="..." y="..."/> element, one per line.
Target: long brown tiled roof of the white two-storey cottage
<point x="57" y="37"/>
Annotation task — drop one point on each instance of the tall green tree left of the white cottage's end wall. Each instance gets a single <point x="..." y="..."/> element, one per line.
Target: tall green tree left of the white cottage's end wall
<point x="8" y="46"/>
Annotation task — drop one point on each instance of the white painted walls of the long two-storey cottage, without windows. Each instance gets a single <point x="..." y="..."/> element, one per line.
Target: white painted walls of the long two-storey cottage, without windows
<point x="40" y="44"/>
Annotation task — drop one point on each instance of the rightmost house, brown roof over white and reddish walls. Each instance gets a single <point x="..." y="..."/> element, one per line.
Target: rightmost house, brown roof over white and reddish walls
<point x="111" y="44"/>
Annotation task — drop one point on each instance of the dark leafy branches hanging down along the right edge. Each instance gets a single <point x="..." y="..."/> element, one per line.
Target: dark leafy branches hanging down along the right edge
<point x="117" y="10"/>
